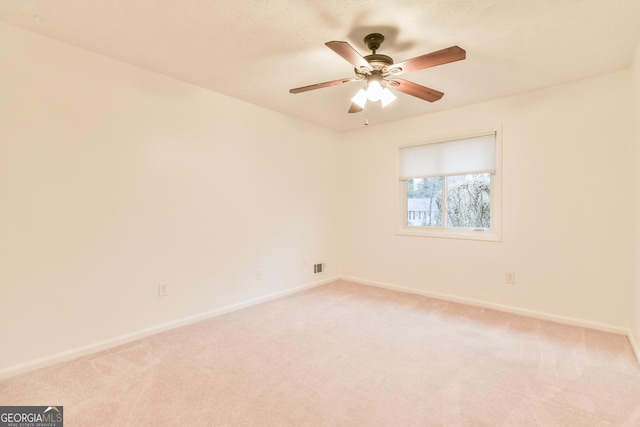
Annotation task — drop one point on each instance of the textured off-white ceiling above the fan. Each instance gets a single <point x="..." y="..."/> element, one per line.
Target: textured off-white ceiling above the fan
<point x="257" y="50"/>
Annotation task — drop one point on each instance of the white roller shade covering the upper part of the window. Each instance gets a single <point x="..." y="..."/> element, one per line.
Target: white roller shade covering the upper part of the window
<point x="457" y="157"/>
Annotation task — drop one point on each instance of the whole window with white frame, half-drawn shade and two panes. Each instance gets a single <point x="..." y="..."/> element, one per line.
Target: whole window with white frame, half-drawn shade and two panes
<point x="451" y="188"/>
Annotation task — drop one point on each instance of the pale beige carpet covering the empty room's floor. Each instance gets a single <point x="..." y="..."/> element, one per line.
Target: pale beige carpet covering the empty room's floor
<point x="349" y="355"/>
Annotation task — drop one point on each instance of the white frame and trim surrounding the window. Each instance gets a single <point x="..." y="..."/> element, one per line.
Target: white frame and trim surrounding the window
<point x="494" y="233"/>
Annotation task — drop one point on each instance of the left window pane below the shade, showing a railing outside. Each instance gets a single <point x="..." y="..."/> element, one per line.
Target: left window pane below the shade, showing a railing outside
<point x="424" y="202"/>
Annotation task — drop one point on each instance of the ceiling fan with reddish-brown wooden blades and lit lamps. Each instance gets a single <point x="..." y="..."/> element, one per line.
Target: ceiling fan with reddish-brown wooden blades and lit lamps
<point x="380" y="72"/>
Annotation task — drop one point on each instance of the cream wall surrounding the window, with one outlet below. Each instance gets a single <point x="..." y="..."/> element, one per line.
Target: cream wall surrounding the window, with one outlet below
<point x="566" y="206"/>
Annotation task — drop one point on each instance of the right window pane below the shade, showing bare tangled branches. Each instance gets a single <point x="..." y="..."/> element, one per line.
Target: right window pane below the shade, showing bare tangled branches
<point x="469" y="201"/>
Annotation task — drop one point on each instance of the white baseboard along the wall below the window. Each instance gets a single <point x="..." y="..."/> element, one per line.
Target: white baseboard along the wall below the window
<point x="500" y="307"/>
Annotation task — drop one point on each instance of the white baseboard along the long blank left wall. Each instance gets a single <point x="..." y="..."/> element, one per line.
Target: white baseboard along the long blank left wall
<point x="54" y="359"/>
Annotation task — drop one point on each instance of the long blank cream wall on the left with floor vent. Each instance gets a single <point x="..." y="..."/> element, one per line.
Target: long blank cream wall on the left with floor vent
<point x="113" y="179"/>
